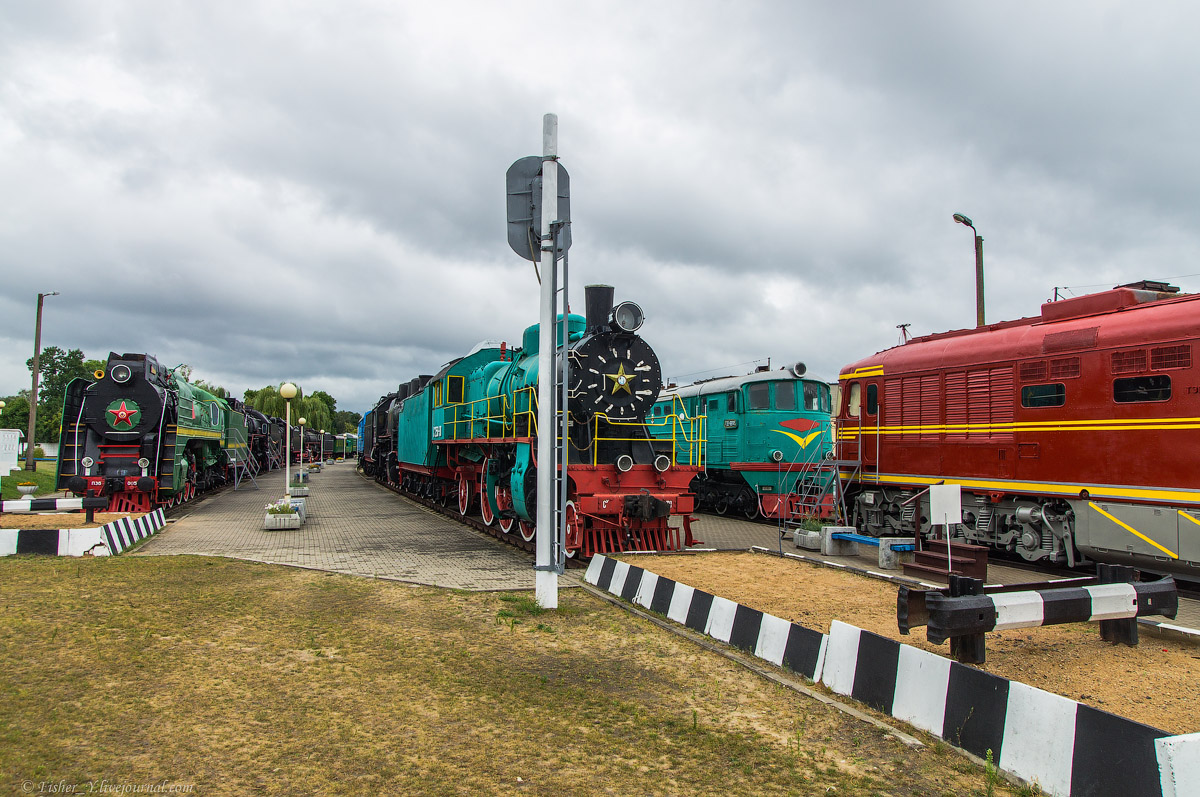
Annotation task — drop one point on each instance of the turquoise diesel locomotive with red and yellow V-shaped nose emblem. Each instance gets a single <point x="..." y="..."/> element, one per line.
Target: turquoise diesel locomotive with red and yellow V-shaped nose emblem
<point x="769" y="434"/>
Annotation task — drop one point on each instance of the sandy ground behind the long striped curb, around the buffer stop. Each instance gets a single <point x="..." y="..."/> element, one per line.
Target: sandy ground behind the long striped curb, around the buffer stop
<point x="1157" y="684"/>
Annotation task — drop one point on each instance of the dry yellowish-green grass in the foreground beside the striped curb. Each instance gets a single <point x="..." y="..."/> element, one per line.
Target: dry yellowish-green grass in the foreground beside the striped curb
<point x="250" y="679"/>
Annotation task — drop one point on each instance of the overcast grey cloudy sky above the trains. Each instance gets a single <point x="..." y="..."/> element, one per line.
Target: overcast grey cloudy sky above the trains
<point x="315" y="191"/>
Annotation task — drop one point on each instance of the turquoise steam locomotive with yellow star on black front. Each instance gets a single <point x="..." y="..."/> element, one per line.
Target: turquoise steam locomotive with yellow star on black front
<point x="471" y="433"/>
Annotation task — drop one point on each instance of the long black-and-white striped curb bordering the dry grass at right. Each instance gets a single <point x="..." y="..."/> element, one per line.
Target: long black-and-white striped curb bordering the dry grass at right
<point x="1065" y="747"/>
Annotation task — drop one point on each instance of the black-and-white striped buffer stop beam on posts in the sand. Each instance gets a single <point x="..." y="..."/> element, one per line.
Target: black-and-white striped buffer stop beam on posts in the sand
<point x="965" y="615"/>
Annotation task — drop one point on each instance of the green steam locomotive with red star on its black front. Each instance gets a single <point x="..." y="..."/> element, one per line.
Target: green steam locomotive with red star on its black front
<point x="145" y="436"/>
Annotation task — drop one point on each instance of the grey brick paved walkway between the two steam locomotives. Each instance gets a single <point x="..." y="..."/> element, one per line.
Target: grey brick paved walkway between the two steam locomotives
<point x="353" y="526"/>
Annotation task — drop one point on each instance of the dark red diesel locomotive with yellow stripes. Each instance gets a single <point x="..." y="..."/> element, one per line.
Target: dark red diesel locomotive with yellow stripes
<point x="1072" y="434"/>
